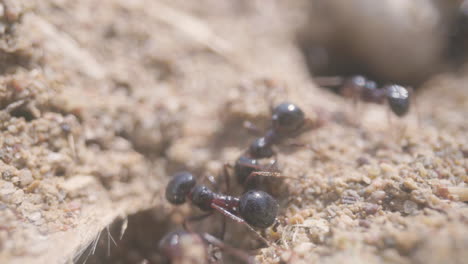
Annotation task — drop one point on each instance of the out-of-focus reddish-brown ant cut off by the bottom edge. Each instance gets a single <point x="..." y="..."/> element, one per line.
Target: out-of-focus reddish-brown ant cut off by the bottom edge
<point x="178" y="247"/>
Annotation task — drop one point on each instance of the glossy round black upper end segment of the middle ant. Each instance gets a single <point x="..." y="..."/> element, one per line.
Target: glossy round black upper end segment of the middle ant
<point x="287" y="118"/>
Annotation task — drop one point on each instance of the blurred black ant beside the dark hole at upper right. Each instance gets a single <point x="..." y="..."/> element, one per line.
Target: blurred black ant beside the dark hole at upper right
<point x="359" y="87"/>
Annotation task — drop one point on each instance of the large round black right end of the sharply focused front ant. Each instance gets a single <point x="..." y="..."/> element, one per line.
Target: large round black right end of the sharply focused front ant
<point x="258" y="208"/>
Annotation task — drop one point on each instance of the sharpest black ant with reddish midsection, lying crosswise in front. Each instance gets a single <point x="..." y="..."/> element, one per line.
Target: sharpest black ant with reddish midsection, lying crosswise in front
<point x="253" y="208"/>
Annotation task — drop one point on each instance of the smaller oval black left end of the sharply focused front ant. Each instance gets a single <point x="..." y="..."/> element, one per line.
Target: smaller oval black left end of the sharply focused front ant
<point x="179" y="187"/>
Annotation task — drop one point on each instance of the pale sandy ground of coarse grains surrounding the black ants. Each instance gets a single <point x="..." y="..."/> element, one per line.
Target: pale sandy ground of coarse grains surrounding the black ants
<point x="101" y="101"/>
